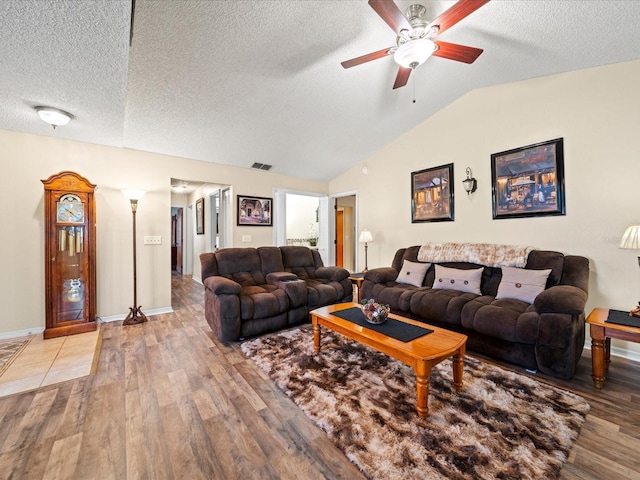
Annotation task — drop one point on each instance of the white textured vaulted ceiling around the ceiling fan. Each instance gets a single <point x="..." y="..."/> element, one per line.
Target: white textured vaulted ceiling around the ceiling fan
<point x="238" y="82"/>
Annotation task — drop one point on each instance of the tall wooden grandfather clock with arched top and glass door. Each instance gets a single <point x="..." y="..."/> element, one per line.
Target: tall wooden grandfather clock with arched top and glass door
<point x="70" y="255"/>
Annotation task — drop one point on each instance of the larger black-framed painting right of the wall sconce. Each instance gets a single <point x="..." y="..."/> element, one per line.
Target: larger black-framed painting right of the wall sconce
<point x="528" y="181"/>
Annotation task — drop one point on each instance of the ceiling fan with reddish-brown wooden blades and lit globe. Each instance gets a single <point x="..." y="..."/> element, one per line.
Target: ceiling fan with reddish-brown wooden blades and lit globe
<point x="415" y="36"/>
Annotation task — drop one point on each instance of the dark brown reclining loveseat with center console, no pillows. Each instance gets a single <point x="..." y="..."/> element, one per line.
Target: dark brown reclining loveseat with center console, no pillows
<point x="250" y="291"/>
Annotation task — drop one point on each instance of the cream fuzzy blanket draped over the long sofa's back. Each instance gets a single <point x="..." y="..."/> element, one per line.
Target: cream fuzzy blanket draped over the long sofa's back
<point x="488" y="254"/>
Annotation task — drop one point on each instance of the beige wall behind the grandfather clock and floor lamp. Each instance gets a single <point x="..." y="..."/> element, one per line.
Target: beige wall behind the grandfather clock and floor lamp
<point x="26" y="159"/>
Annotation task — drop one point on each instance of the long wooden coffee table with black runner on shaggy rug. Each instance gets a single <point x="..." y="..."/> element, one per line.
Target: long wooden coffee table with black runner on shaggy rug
<point x="422" y="354"/>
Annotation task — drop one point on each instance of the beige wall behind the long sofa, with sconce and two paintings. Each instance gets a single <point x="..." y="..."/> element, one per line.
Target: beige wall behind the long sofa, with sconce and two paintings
<point x="597" y="111"/>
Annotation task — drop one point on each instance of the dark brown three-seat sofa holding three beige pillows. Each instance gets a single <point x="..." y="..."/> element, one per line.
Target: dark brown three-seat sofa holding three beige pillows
<point x="546" y="335"/>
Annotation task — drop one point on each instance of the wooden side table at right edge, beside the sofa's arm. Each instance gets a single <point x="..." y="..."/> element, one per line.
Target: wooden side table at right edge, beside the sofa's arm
<point x="601" y="335"/>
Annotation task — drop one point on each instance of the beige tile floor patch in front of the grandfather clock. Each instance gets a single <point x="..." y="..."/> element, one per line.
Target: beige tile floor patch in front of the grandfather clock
<point x="45" y="362"/>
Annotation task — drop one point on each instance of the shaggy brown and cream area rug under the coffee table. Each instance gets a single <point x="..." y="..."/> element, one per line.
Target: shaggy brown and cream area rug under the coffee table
<point x="501" y="425"/>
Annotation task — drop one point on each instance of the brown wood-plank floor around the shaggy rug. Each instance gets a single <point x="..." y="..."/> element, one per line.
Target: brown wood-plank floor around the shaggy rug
<point x="170" y="401"/>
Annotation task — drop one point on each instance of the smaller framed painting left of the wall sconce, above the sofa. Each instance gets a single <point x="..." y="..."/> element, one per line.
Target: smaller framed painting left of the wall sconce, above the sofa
<point x="432" y="194"/>
